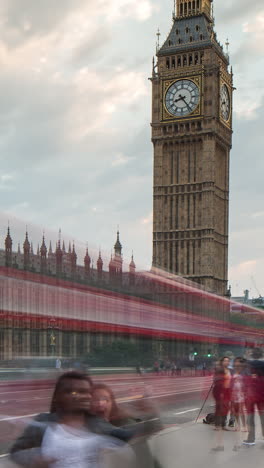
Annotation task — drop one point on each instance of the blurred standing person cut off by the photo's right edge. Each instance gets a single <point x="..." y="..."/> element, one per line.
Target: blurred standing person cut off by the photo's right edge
<point x="255" y="394"/>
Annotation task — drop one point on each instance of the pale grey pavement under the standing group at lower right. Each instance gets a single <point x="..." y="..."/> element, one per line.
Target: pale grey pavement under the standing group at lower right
<point x="189" y="446"/>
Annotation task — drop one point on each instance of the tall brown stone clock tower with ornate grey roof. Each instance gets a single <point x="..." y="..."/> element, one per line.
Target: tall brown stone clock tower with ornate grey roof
<point x="192" y="136"/>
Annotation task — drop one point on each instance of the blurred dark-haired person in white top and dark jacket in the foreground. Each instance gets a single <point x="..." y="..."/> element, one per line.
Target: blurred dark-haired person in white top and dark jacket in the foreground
<point x="66" y="436"/>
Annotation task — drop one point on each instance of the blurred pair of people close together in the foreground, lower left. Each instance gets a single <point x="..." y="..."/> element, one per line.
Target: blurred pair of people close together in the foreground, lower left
<point x="85" y="427"/>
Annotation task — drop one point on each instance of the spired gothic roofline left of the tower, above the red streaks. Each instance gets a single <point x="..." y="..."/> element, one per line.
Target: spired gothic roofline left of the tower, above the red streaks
<point x="63" y="264"/>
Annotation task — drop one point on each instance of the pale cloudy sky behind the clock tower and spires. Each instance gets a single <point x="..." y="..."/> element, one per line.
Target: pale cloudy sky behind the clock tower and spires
<point x="75" y="111"/>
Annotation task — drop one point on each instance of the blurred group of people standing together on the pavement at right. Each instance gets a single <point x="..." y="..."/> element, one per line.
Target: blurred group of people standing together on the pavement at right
<point x="238" y="390"/>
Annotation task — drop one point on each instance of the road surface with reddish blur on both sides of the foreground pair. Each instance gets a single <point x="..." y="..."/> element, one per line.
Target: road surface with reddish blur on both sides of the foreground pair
<point x="179" y="398"/>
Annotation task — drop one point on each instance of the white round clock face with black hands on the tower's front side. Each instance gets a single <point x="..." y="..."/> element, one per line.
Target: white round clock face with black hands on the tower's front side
<point x="182" y="98"/>
